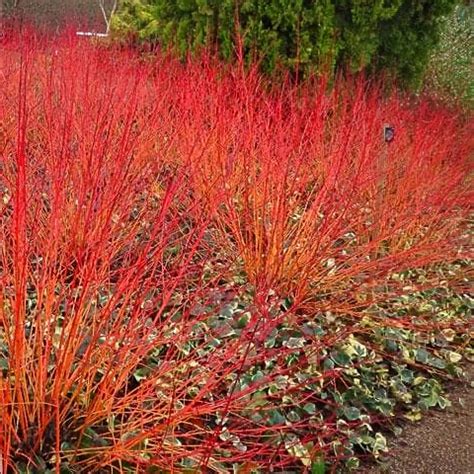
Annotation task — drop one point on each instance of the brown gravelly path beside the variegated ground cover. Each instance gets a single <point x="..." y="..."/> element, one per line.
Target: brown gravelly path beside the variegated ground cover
<point x="442" y="443"/>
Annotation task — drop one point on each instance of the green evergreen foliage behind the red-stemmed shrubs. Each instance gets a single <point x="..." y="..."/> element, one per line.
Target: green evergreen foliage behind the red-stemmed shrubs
<point x="397" y="35"/>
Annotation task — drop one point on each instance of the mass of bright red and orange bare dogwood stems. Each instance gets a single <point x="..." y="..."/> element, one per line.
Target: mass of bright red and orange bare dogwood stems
<point x="134" y="188"/>
